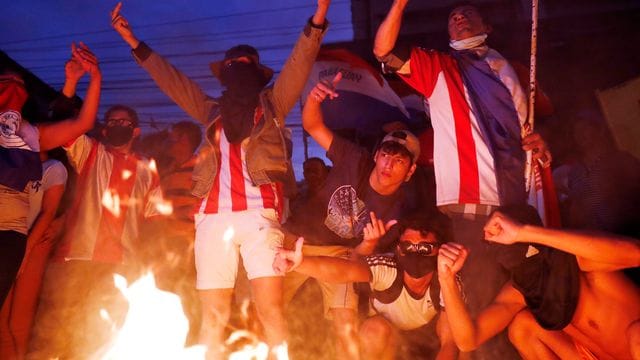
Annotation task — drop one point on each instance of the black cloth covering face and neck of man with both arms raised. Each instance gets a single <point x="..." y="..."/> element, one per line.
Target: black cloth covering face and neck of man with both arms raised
<point x="243" y="81"/>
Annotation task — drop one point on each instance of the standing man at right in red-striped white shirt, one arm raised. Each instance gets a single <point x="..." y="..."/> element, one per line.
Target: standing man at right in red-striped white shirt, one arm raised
<point x="477" y="107"/>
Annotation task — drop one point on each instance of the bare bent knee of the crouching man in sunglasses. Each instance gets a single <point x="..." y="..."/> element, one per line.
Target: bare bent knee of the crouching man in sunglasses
<point x="378" y="339"/>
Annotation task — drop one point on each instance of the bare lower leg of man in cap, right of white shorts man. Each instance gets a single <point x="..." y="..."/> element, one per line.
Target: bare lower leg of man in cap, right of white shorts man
<point x="345" y="325"/>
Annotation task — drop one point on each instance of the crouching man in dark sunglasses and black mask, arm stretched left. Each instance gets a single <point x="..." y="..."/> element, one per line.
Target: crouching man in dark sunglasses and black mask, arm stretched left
<point x="404" y="287"/>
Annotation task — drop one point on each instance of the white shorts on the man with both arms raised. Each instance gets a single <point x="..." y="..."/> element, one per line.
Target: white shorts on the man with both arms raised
<point x="222" y="238"/>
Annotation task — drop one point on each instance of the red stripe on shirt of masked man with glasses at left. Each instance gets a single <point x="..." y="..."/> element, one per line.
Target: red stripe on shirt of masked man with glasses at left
<point x="108" y="247"/>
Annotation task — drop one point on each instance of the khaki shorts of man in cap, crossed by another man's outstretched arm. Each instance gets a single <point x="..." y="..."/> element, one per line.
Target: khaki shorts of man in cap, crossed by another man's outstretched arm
<point x="334" y="296"/>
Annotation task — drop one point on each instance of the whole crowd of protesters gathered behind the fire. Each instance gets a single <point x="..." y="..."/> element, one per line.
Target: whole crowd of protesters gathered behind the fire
<point x="407" y="266"/>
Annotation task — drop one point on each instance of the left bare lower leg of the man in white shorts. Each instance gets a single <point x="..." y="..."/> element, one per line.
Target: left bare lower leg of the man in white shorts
<point x="216" y="307"/>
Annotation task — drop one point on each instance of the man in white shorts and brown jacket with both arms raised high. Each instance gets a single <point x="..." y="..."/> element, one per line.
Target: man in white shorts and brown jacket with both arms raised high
<point x="241" y="170"/>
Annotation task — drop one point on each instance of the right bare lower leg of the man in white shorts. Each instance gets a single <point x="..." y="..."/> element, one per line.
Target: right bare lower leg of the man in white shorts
<point x="267" y="294"/>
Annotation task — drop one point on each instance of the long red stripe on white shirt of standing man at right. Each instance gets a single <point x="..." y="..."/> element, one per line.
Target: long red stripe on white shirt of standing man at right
<point x="467" y="158"/>
